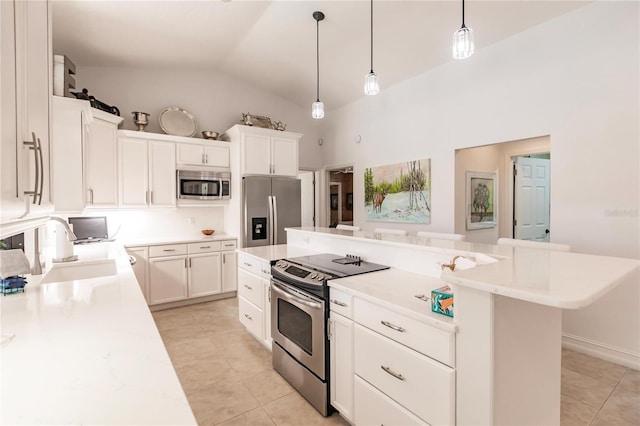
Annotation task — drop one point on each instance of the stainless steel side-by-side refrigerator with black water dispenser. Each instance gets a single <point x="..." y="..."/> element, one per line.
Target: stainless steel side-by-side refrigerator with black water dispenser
<point x="269" y="206"/>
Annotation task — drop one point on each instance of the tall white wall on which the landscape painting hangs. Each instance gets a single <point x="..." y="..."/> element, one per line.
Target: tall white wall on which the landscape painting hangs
<point x="575" y="78"/>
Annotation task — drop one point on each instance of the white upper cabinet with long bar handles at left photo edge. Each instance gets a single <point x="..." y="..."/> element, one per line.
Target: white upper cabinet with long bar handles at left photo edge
<point x="25" y="73"/>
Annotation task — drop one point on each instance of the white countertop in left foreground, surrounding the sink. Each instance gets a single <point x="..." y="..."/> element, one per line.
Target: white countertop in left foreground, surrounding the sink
<point x="86" y="352"/>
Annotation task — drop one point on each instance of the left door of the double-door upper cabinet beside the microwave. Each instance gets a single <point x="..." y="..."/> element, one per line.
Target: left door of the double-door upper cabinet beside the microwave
<point x="133" y="172"/>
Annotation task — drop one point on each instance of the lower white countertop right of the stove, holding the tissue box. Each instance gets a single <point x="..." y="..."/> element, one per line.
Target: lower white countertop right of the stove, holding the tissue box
<point x="396" y="290"/>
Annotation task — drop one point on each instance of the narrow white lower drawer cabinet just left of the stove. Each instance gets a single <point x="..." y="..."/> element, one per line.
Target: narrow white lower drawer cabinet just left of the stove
<point x="254" y="297"/>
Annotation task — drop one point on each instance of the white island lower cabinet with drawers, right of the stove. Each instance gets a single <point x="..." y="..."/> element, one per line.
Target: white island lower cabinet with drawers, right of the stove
<point x="379" y="376"/>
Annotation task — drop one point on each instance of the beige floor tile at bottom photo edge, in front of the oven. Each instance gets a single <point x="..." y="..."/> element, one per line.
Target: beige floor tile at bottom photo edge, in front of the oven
<point x="294" y="410"/>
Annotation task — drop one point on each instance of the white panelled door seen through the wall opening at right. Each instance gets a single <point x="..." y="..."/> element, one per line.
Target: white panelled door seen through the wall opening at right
<point x="531" y="208"/>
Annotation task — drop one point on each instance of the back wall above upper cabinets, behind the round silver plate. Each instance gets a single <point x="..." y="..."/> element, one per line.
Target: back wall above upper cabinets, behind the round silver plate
<point x="217" y="101"/>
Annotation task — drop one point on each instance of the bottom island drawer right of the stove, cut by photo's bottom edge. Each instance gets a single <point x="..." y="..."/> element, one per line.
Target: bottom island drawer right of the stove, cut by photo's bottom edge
<point x="374" y="407"/>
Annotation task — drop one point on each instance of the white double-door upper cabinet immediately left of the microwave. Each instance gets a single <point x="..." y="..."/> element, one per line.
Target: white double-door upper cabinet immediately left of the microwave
<point x="147" y="173"/>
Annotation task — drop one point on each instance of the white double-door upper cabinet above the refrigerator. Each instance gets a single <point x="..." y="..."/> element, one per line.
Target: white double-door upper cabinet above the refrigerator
<point x="266" y="151"/>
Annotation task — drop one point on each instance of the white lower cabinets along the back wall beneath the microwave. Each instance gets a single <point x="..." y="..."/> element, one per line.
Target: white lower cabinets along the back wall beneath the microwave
<point x="179" y="272"/>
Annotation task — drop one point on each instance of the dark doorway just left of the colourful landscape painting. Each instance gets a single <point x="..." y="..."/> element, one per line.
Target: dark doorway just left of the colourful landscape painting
<point x="339" y="206"/>
